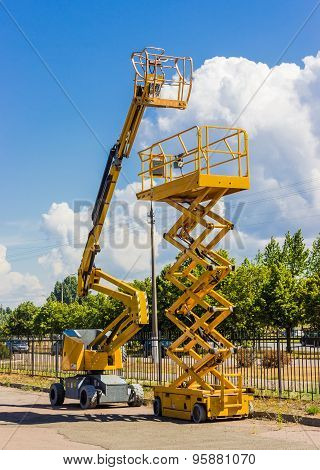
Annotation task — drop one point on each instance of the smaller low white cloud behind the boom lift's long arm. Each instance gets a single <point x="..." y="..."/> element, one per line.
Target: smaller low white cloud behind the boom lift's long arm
<point x="125" y="241"/>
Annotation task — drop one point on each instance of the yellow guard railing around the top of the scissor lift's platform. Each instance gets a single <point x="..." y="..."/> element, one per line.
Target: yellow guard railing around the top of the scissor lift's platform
<point x="210" y="150"/>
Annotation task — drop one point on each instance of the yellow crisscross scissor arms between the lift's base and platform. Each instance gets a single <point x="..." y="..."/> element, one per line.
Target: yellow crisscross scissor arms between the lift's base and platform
<point x="199" y="331"/>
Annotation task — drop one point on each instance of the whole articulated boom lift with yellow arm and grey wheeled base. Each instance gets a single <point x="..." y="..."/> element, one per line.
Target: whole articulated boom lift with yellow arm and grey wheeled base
<point x="160" y="81"/>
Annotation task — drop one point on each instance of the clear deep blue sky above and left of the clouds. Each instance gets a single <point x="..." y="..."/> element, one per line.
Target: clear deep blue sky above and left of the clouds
<point x="48" y="154"/>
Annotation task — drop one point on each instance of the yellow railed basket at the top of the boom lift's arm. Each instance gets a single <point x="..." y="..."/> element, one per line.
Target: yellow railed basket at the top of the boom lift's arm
<point x="167" y="77"/>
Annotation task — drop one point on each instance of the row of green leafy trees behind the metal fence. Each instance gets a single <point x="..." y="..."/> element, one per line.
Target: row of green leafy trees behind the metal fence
<point x="279" y="288"/>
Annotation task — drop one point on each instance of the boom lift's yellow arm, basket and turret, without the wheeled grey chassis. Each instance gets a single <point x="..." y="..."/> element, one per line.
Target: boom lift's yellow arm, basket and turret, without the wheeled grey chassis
<point x="160" y="81"/>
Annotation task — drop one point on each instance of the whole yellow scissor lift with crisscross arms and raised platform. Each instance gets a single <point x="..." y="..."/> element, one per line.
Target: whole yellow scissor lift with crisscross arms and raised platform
<point x="201" y="349"/>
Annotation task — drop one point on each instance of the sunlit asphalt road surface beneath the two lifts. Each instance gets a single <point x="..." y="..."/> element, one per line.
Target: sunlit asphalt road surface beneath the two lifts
<point x="28" y="422"/>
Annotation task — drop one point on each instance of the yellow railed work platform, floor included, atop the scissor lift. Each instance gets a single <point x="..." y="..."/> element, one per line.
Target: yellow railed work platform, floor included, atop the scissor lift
<point x="201" y="158"/>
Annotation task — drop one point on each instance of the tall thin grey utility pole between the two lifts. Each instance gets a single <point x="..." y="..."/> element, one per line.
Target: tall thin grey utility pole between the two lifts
<point x="155" y="332"/>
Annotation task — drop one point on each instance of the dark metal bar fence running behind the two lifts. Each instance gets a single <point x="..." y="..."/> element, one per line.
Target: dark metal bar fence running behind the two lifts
<point x="265" y="362"/>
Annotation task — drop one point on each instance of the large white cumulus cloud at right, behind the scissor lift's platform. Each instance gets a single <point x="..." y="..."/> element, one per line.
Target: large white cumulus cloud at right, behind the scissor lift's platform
<point x="279" y="108"/>
